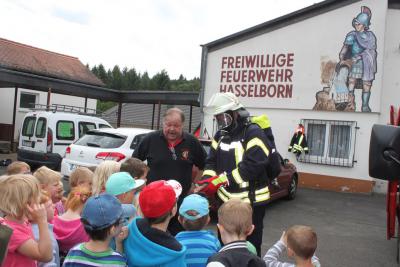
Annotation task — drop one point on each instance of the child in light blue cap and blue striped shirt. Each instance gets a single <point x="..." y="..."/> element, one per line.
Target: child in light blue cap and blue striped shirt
<point x="200" y="244"/>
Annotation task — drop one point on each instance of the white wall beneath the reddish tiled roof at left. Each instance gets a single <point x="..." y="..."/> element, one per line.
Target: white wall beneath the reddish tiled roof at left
<point x="7" y="104"/>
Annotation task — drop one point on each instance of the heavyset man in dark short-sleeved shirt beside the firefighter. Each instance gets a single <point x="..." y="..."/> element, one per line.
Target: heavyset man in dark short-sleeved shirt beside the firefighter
<point x="171" y="154"/>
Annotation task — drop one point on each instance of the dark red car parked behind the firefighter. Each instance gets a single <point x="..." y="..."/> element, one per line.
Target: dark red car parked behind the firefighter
<point x="286" y="186"/>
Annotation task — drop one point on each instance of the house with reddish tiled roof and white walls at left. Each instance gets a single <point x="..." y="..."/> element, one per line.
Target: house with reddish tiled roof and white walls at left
<point x="36" y="63"/>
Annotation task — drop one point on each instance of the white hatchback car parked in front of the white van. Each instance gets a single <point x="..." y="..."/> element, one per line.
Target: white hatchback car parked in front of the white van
<point x="99" y="145"/>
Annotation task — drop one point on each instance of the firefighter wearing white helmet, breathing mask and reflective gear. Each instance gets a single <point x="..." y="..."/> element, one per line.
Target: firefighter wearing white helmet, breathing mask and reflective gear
<point x="235" y="167"/>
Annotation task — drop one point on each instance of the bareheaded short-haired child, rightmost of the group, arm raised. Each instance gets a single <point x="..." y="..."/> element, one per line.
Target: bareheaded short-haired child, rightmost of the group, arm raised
<point x="300" y="242"/>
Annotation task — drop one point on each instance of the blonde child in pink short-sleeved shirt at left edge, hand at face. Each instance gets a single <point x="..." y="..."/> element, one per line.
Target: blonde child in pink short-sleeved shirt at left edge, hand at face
<point x="19" y="198"/>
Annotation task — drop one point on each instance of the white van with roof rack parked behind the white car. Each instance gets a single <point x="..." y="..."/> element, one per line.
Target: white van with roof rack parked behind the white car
<point x="44" y="135"/>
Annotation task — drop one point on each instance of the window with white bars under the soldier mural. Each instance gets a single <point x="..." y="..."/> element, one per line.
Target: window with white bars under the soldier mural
<point x="330" y="142"/>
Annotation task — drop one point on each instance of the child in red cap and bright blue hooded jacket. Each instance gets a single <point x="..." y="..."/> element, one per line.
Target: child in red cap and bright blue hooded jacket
<point x="148" y="242"/>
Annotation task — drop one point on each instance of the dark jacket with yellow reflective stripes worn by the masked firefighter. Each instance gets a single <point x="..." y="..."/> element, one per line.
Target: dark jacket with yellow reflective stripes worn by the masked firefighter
<point x="242" y="155"/>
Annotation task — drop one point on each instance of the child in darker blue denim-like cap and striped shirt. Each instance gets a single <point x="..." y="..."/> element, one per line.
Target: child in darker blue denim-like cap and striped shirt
<point x="101" y="217"/>
